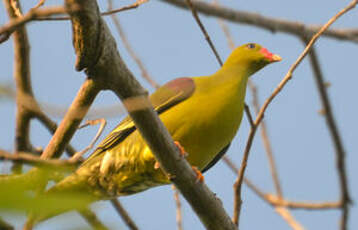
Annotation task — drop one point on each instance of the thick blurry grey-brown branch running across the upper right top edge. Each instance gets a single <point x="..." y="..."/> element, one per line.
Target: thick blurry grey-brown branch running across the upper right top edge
<point x="268" y="23"/>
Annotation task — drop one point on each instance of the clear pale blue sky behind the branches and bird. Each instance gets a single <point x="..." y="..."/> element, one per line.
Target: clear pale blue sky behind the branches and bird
<point x="171" y="45"/>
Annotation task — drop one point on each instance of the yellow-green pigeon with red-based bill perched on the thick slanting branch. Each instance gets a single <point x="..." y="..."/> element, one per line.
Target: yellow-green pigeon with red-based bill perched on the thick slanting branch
<point x="202" y="114"/>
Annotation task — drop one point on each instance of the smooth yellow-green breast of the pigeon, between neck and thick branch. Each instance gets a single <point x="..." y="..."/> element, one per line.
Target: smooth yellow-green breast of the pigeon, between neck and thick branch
<point x="208" y="121"/>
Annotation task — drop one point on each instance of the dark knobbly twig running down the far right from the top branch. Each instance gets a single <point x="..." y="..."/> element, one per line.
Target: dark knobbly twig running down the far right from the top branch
<point x="336" y="138"/>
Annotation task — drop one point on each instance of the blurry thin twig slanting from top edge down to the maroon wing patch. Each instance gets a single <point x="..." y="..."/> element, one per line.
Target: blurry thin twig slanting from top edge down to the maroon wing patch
<point x="129" y="48"/>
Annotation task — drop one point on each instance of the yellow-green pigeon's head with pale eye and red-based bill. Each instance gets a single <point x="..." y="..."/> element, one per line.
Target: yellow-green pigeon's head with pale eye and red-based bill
<point x="251" y="57"/>
